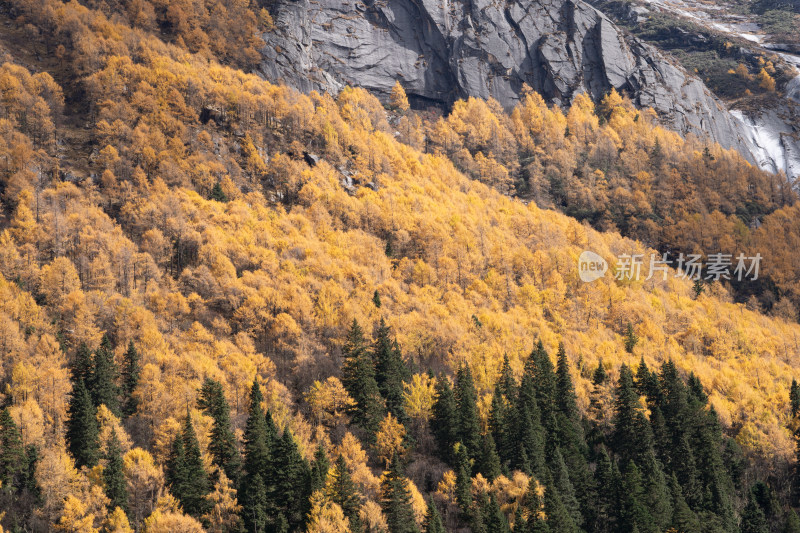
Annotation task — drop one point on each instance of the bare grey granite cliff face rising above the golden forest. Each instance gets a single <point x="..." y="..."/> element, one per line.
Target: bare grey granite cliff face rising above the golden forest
<point x="442" y="50"/>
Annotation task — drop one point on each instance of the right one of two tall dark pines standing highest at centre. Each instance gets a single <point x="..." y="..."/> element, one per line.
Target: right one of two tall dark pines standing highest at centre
<point x="390" y="371"/>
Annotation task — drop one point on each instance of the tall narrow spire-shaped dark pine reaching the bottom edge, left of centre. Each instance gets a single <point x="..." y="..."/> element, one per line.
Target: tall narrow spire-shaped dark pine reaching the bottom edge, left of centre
<point x="252" y="491"/>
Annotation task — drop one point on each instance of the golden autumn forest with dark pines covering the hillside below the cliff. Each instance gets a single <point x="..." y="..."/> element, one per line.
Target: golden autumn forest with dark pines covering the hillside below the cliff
<point x="229" y="306"/>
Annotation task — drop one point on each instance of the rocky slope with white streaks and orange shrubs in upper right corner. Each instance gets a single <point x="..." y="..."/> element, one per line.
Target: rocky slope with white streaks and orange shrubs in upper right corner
<point x="716" y="38"/>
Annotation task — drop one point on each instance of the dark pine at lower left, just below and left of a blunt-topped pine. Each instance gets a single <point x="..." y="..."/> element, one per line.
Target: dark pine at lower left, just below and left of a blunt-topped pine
<point x="187" y="477"/>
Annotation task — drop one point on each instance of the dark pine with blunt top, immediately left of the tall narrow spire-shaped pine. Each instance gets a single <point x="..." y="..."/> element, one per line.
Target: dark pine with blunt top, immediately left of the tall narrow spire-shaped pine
<point x="222" y="445"/>
